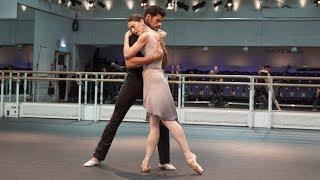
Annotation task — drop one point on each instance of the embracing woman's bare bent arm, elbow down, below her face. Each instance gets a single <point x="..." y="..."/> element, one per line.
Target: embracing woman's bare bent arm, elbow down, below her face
<point x="130" y="52"/>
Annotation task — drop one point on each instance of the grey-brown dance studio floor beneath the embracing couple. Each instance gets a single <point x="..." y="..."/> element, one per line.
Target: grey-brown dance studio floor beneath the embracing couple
<point x="56" y="149"/>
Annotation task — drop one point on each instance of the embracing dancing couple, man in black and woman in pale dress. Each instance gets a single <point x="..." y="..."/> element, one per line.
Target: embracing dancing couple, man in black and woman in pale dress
<point x="157" y="98"/>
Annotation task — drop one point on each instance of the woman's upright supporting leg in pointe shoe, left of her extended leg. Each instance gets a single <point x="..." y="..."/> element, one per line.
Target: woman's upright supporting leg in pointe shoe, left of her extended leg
<point x="152" y="141"/>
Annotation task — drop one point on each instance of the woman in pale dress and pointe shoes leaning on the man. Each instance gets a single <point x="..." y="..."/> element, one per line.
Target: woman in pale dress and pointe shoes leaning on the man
<point x="157" y="98"/>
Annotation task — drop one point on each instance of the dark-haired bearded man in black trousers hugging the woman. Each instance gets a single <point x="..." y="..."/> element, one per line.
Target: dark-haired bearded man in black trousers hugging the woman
<point x="129" y="92"/>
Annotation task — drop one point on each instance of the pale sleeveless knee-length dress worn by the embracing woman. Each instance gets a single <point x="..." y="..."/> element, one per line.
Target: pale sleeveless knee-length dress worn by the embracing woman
<point x="157" y="98"/>
